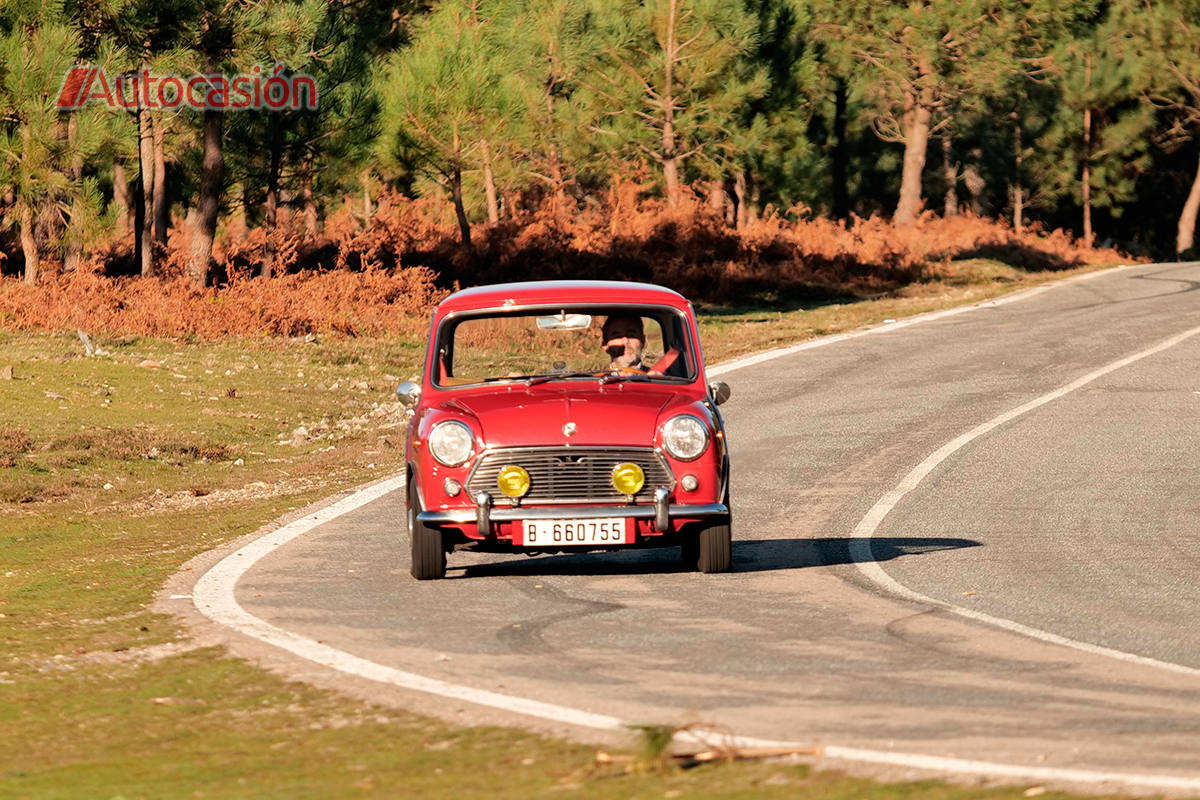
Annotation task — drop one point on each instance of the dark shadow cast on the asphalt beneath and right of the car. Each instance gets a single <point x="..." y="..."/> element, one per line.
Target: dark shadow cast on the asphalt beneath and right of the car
<point x="758" y="556"/>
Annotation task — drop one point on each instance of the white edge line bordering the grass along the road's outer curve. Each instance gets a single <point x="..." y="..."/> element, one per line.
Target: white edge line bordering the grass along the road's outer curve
<point x="214" y="597"/>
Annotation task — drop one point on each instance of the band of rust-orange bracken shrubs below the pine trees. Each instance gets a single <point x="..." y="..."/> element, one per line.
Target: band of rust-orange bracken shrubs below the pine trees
<point x="383" y="275"/>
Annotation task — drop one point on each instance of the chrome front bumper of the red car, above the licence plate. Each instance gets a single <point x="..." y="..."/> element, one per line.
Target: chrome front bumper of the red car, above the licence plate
<point x="484" y="514"/>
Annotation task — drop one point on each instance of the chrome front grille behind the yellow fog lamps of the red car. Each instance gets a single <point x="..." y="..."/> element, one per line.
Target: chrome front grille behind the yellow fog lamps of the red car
<point x="571" y="474"/>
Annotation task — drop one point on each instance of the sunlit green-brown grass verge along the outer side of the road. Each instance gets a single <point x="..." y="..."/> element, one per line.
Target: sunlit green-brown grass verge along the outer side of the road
<point x="113" y="474"/>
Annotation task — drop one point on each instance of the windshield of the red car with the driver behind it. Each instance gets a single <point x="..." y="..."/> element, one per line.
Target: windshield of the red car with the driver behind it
<point x="566" y="344"/>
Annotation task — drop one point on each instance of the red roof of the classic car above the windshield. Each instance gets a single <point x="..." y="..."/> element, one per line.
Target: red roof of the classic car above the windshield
<point x="538" y="293"/>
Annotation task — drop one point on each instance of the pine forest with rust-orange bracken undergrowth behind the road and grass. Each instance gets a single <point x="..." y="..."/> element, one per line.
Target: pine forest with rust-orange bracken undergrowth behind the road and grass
<point x="388" y="152"/>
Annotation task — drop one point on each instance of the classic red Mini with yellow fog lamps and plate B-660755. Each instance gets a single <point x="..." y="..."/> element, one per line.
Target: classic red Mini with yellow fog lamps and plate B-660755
<point x="566" y="417"/>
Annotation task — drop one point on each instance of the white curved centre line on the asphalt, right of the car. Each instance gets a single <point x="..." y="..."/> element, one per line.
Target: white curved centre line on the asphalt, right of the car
<point x="861" y="545"/>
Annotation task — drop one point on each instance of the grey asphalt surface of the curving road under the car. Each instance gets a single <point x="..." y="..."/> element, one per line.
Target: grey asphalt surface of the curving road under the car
<point x="1079" y="519"/>
